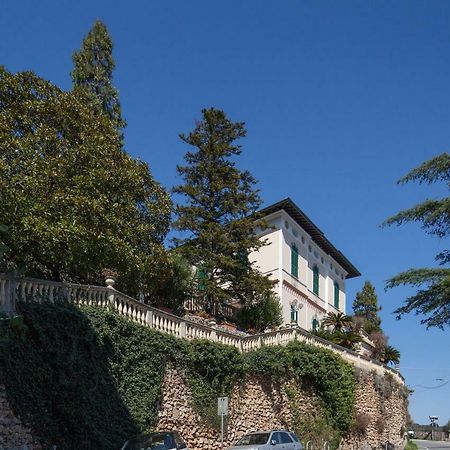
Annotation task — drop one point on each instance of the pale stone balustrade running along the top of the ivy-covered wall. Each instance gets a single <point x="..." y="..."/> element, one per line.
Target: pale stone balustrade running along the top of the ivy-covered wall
<point x="21" y="289"/>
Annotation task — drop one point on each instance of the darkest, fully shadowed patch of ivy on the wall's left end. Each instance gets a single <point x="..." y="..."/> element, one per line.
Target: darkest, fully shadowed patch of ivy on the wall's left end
<point x="59" y="380"/>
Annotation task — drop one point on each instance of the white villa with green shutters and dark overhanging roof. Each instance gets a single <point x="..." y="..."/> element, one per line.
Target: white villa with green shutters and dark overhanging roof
<point x="311" y="272"/>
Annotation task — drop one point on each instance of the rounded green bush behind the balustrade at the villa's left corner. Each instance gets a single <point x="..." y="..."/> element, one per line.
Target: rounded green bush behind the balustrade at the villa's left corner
<point x="266" y="313"/>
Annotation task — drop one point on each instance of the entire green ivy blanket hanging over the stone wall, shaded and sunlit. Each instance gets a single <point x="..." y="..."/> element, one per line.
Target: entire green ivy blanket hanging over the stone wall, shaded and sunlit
<point x="88" y="378"/>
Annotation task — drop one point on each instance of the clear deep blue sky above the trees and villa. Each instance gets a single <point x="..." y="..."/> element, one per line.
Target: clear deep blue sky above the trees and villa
<point x="340" y="100"/>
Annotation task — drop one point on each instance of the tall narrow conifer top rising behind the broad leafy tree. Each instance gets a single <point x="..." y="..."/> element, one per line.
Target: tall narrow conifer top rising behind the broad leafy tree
<point x="93" y="69"/>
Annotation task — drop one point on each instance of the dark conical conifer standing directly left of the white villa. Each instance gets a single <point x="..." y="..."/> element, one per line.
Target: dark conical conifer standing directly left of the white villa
<point x="220" y="214"/>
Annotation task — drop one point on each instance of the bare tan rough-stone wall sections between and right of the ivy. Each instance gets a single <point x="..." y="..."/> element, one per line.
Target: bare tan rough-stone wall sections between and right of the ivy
<point x="380" y="411"/>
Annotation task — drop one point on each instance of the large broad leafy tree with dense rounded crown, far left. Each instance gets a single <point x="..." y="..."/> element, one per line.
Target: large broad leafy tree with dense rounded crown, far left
<point x="74" y="202"/>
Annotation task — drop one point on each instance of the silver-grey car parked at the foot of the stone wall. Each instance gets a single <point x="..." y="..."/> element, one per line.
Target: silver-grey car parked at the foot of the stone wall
<point x="268" y="440"/>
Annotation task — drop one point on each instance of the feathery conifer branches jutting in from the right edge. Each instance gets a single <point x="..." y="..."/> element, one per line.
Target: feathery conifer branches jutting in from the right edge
<point x="433" y="297"/>
